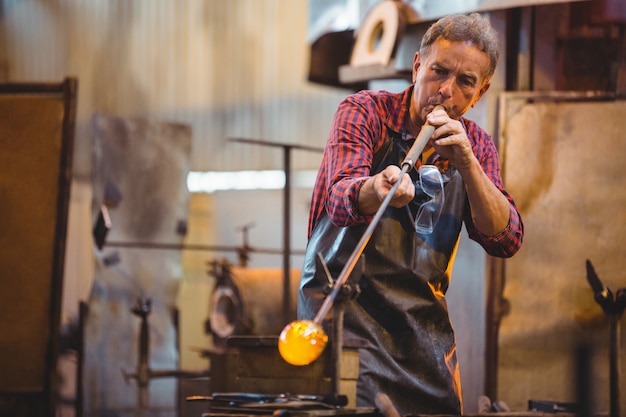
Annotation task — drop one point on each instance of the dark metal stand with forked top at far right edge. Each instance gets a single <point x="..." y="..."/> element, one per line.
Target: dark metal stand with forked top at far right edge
<point x="613" y="306"/>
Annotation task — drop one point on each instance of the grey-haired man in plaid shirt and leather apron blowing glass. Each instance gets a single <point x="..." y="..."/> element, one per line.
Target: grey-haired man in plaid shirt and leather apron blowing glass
<point x="401" y="310"/>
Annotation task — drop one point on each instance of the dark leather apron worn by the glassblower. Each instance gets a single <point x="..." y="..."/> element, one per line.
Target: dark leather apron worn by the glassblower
<point x="401" y="312"/>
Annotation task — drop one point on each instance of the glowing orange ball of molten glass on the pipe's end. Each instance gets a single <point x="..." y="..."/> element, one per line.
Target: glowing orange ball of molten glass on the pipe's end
<point x="301" y="342"/>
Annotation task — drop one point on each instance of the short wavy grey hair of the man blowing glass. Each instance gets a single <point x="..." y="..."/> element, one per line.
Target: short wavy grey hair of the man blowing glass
<point x="459" y="27"/>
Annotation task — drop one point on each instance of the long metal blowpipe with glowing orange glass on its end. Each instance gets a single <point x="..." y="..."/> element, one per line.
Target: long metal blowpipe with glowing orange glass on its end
<point x="303" y="341"/>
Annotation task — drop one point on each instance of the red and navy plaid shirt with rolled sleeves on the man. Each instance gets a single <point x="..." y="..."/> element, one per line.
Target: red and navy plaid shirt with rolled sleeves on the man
<point x="359" y="129"/>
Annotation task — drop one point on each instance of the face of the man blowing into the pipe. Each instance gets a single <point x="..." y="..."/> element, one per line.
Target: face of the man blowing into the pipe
<point x="452" y="74"/>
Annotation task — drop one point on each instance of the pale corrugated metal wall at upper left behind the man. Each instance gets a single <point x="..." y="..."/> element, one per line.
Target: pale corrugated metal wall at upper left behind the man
<point x="234" y="68"/>
